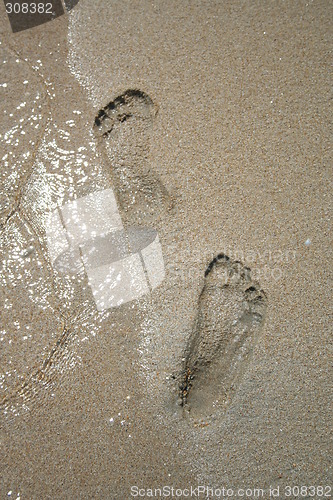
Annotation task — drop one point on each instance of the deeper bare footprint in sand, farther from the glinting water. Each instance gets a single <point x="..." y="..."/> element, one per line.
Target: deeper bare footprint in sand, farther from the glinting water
<point x="230" y="316"/>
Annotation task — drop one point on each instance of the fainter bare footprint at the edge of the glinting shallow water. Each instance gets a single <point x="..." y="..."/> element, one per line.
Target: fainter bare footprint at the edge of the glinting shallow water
<point x="123" y="130"/>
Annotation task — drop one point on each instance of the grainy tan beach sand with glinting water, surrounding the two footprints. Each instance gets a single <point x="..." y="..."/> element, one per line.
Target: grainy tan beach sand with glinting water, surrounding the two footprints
<point x="241" y="142"/>
